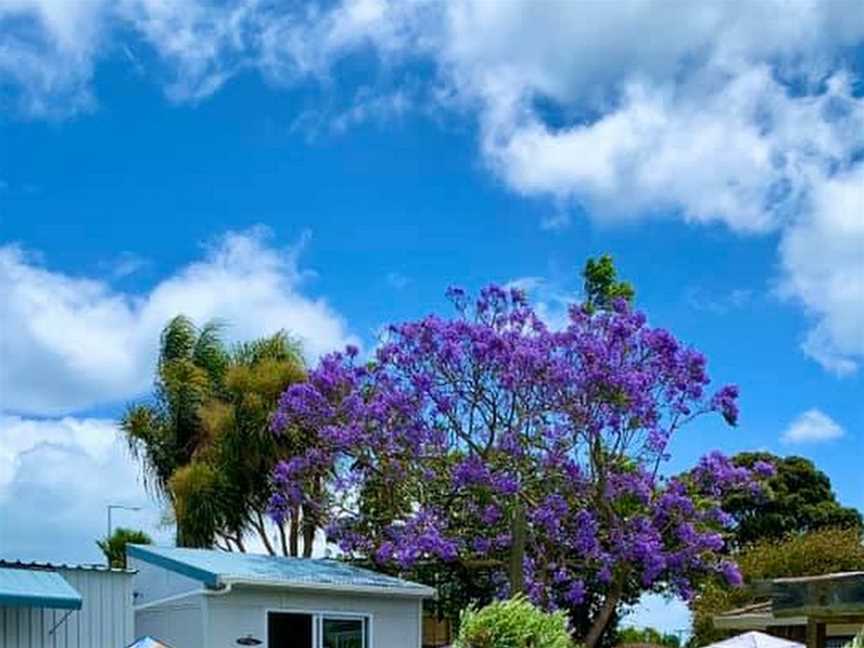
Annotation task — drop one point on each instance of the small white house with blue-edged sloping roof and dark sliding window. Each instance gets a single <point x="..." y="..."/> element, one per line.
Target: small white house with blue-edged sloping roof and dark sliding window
<point x="193" y="597"/>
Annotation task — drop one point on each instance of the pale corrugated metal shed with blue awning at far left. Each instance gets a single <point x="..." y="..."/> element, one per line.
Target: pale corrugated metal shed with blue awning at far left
<point x="45" y="605"/>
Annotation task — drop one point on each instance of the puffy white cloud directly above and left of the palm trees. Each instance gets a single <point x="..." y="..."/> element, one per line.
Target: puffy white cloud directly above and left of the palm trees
<point x="69" y="343"/>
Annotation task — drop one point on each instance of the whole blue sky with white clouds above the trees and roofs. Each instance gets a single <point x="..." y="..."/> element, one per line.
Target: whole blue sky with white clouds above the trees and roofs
<point x="332" y="170"/>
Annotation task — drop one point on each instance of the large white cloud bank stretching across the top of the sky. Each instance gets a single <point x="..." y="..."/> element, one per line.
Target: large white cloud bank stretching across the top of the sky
<point x="739" y="113"/>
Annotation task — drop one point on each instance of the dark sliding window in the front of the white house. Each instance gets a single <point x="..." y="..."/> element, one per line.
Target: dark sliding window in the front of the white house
<point x="316" y="630"/>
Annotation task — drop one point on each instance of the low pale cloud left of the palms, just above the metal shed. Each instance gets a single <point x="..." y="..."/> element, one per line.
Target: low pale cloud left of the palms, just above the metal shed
<point x="73" y="468"/>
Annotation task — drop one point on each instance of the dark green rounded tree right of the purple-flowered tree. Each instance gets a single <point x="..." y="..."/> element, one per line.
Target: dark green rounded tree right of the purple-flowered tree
<point x="799" y="500"/>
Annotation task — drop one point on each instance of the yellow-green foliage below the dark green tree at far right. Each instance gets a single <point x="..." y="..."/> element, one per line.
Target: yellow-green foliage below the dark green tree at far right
<point x="812" y="554"/>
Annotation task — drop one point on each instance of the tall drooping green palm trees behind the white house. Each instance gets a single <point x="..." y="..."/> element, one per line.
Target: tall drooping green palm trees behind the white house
<point x="203" y="439"/>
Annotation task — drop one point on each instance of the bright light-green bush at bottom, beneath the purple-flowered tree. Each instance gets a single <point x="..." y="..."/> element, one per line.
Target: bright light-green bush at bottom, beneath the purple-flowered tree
<point x="513" y="624"/>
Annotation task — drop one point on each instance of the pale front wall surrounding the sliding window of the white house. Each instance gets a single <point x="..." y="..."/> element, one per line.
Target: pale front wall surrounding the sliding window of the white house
<point x="395" y="621"/>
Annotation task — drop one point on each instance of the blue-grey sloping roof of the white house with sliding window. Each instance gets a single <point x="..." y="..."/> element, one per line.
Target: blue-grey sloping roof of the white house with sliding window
<point x="218" y="568"/>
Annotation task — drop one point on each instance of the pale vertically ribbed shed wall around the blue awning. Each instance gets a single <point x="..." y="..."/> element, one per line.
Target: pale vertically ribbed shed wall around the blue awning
<point x="105" y="620"/>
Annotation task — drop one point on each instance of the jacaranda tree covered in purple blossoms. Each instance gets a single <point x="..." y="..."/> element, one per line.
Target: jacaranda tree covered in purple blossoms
<point x="493" y="441"/>
